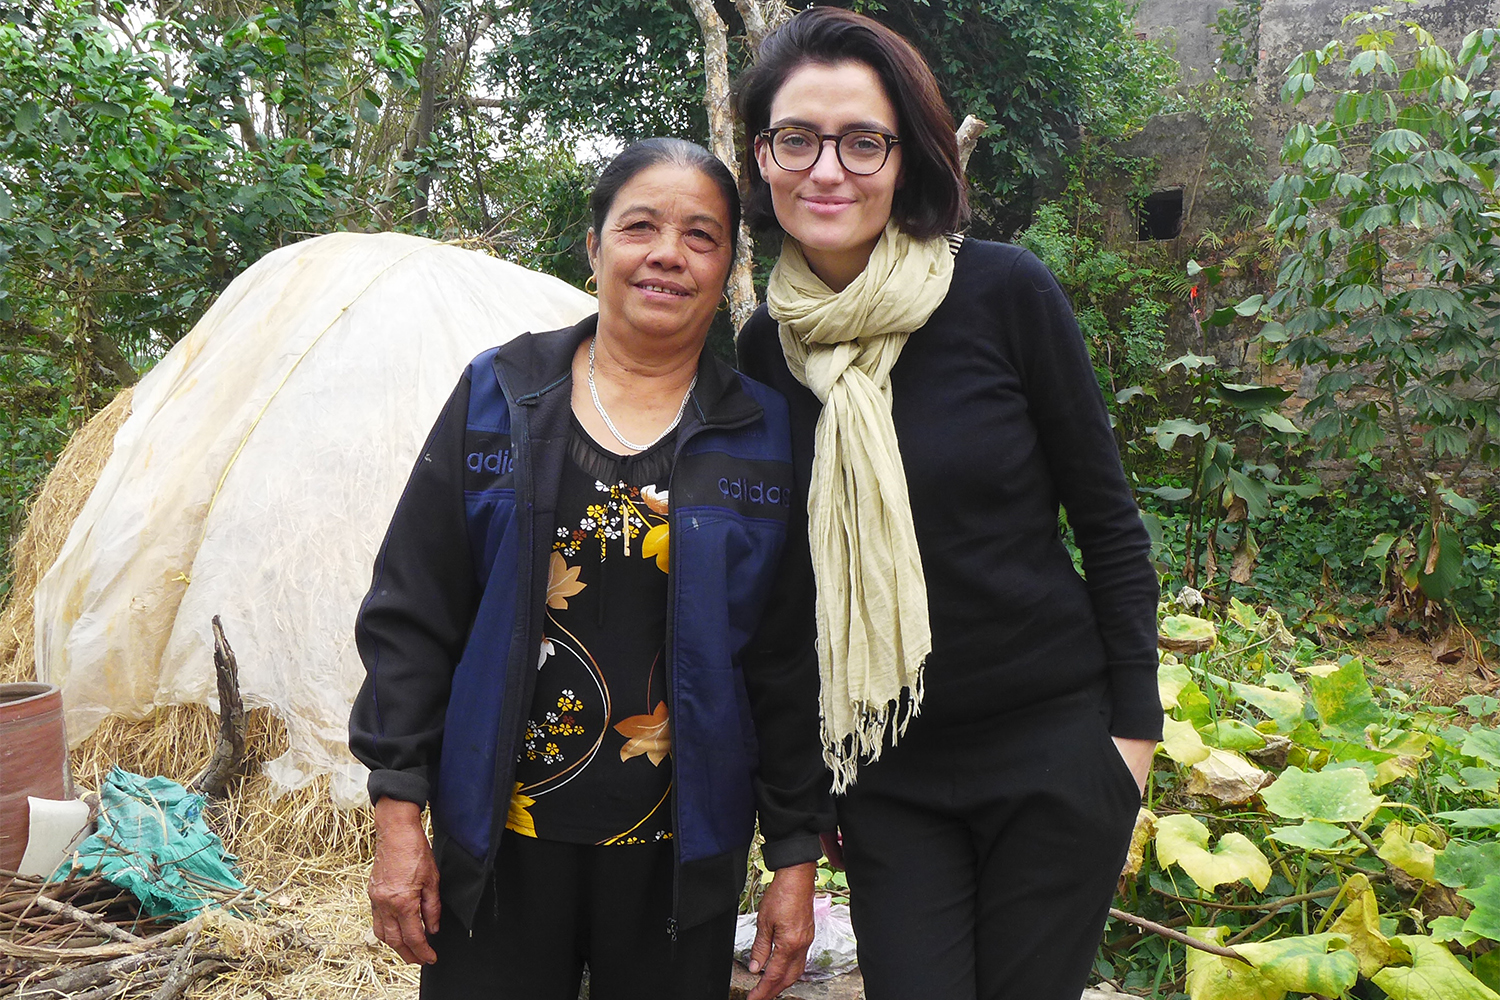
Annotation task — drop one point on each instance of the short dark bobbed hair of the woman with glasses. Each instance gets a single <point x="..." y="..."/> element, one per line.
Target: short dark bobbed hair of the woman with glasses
<point x="934" y="200"/>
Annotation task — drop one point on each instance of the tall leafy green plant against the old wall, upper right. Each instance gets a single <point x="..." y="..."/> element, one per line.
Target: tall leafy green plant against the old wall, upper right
<point x="1391" y="284"/>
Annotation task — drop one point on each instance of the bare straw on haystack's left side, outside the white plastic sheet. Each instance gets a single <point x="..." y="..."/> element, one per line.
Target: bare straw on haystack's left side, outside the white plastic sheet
<point x="47" y="527"/>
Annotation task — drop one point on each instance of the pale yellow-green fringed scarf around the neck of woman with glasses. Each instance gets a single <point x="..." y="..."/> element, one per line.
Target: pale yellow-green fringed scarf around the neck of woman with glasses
<point x="874" y="632"/>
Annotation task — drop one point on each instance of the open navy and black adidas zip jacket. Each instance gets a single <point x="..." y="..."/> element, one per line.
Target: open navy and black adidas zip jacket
<point x="452" y="626"/>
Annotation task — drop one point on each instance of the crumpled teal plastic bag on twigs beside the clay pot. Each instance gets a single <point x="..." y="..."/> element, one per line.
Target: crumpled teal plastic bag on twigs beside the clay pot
<point x="152" y="840"/>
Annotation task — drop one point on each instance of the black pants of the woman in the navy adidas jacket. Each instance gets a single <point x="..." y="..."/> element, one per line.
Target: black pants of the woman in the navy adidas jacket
<point x="556" y="908"/>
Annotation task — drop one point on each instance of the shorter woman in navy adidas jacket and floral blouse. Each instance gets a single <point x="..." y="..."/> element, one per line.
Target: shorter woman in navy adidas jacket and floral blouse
<point x="565" y="642"/>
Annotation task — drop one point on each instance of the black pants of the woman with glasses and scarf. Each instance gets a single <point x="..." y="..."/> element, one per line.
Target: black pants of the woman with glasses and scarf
<point x="983" y="863"/>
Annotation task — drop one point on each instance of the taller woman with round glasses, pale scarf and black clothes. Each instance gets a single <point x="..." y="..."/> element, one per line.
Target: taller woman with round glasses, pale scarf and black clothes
<point x="943" y="404"/>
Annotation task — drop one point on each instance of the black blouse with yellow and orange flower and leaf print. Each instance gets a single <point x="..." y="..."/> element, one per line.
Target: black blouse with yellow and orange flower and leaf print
<point x="593" y="767"/>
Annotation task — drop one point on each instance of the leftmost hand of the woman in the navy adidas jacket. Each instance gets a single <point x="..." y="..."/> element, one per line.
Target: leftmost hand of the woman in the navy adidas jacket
<point x="404" y="882"/>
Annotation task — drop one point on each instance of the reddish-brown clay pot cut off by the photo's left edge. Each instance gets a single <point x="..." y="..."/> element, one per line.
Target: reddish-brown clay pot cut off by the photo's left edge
<point x="34" y="759"/>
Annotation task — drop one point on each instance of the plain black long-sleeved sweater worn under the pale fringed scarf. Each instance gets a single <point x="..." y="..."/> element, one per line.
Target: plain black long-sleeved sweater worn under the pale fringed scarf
<point x="1000" y="419"/>
